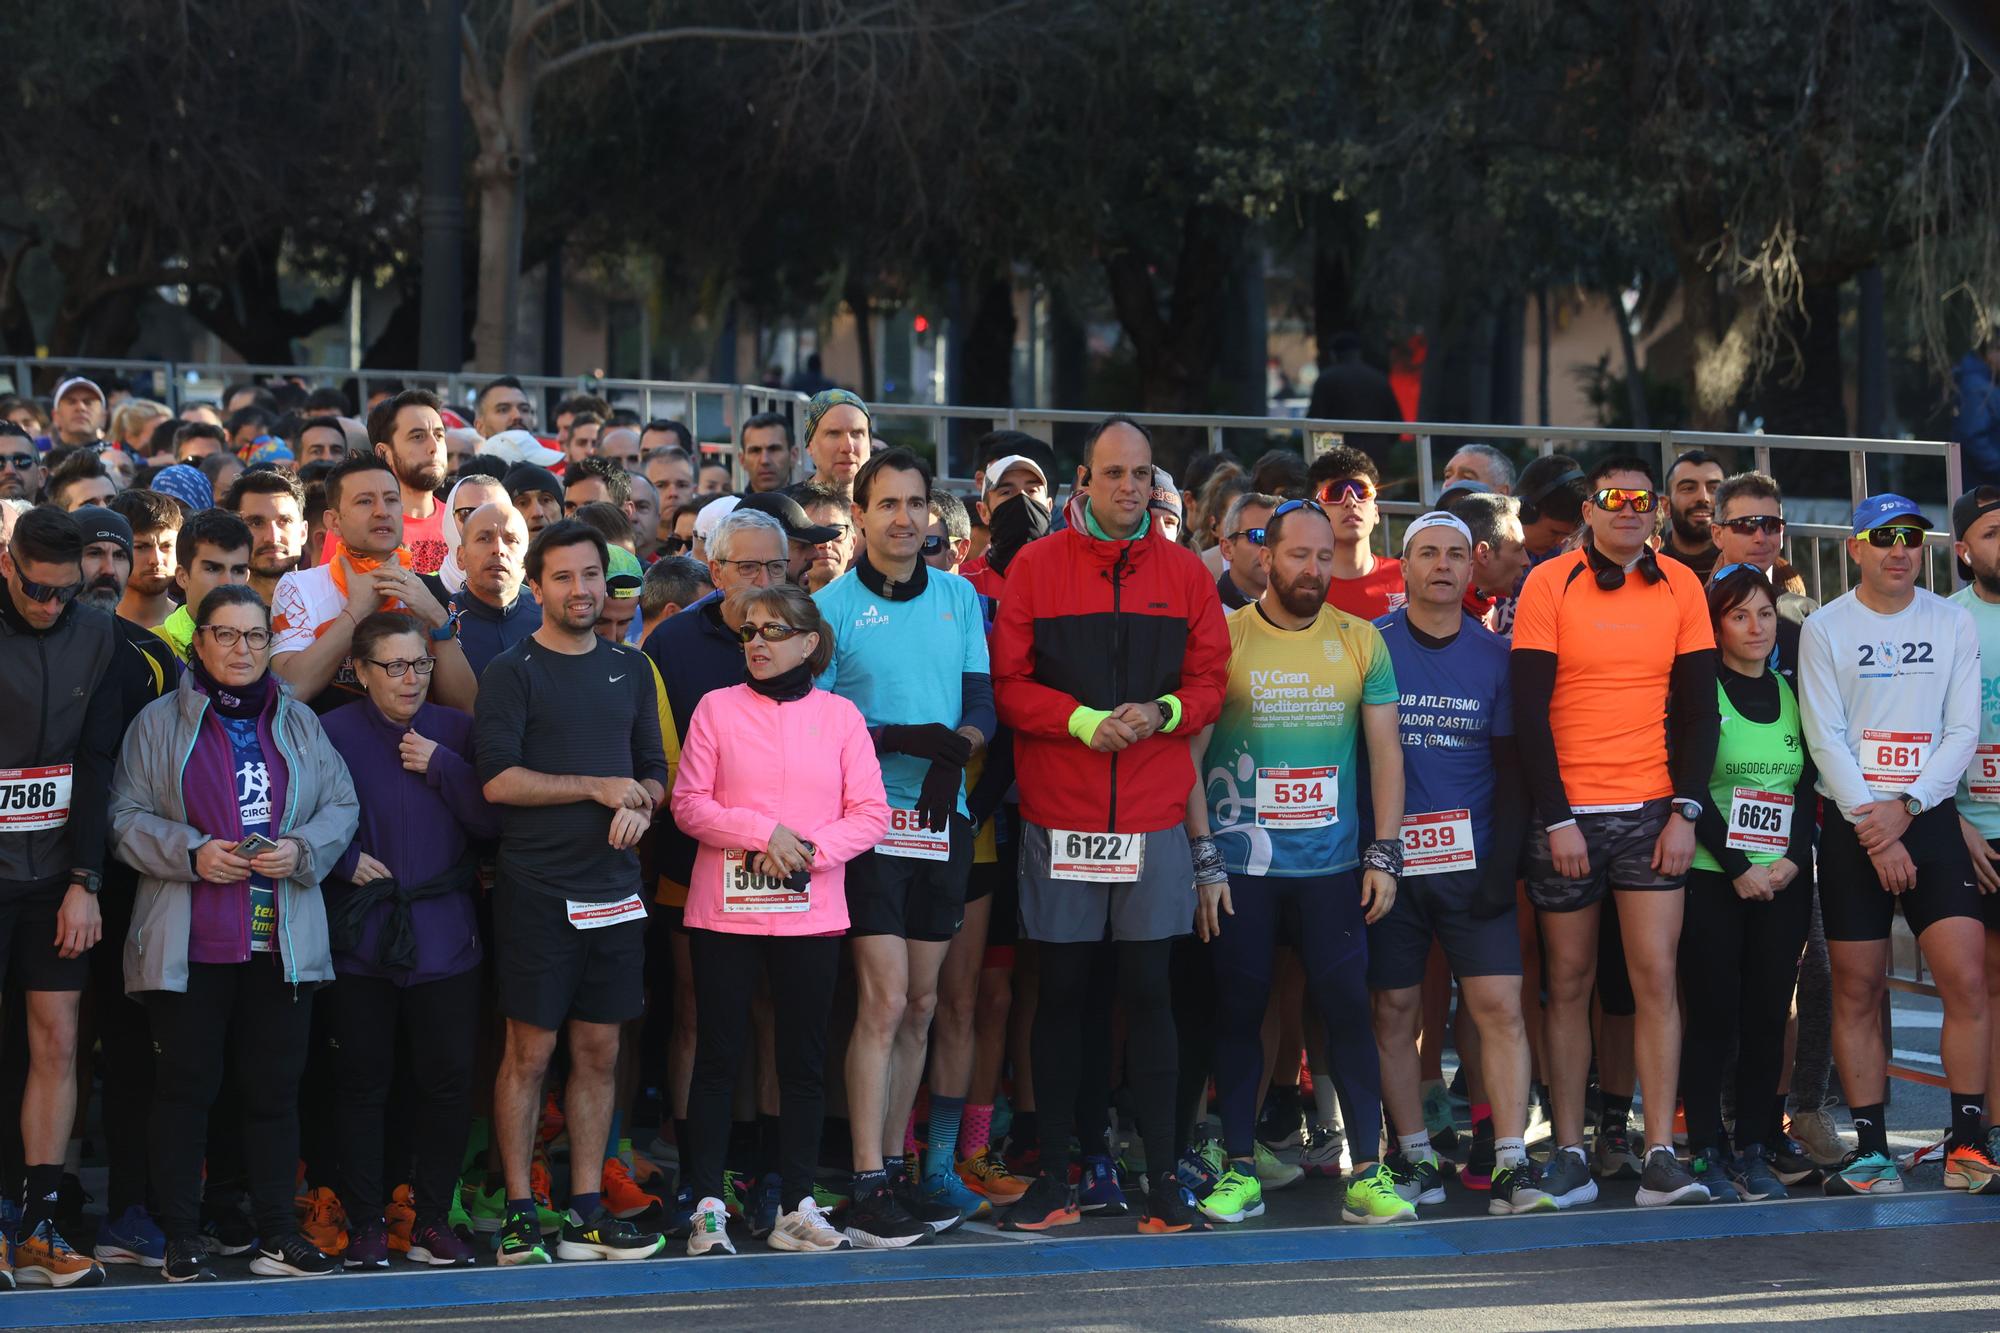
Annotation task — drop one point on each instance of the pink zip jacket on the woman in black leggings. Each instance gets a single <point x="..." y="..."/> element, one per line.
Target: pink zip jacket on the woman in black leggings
<point x="751" y="764"/>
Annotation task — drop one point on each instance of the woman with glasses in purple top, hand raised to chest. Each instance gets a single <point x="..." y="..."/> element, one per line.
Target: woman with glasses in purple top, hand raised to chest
<point x="407" y="948"/>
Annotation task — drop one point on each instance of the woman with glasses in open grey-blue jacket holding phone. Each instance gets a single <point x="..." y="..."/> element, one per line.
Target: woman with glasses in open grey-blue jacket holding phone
<point x="233" y="806"/>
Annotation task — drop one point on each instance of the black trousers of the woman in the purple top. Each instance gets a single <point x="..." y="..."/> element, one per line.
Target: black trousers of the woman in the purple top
<point x="439" y="1026"/>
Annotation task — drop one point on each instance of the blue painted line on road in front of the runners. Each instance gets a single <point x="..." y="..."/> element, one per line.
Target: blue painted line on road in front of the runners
<point x="961" y="1262"/>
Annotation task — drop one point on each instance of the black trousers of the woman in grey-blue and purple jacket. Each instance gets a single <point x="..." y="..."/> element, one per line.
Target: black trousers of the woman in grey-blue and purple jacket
<point x="251" y="1012"/>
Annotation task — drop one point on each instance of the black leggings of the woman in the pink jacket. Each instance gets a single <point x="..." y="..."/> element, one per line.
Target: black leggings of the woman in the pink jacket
<point x="803" y="974"/>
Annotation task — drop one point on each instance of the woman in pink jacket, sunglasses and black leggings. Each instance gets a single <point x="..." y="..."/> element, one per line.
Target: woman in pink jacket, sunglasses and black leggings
<point x="781" y="788"/>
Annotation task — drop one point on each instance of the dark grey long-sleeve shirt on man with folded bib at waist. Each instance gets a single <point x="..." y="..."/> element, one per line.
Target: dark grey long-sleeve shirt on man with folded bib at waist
<point x="569" y="716"/>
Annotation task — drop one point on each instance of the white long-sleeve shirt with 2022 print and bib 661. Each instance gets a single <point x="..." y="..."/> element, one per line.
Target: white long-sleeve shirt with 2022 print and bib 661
<point x="1891" y="704"/>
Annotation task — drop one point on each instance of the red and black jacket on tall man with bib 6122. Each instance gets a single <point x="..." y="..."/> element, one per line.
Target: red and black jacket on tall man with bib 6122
<point x="1105" y="623"/>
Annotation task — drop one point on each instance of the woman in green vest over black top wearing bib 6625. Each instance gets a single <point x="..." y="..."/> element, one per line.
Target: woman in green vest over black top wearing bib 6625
<point x="1749" y="904"/>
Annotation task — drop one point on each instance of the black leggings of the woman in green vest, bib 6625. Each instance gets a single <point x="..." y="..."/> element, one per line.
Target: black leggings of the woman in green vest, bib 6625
<point x="1739" y="964"/>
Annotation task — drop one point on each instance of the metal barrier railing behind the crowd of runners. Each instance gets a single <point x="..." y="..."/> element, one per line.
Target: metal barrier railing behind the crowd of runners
<point x="717" y="413"/>
